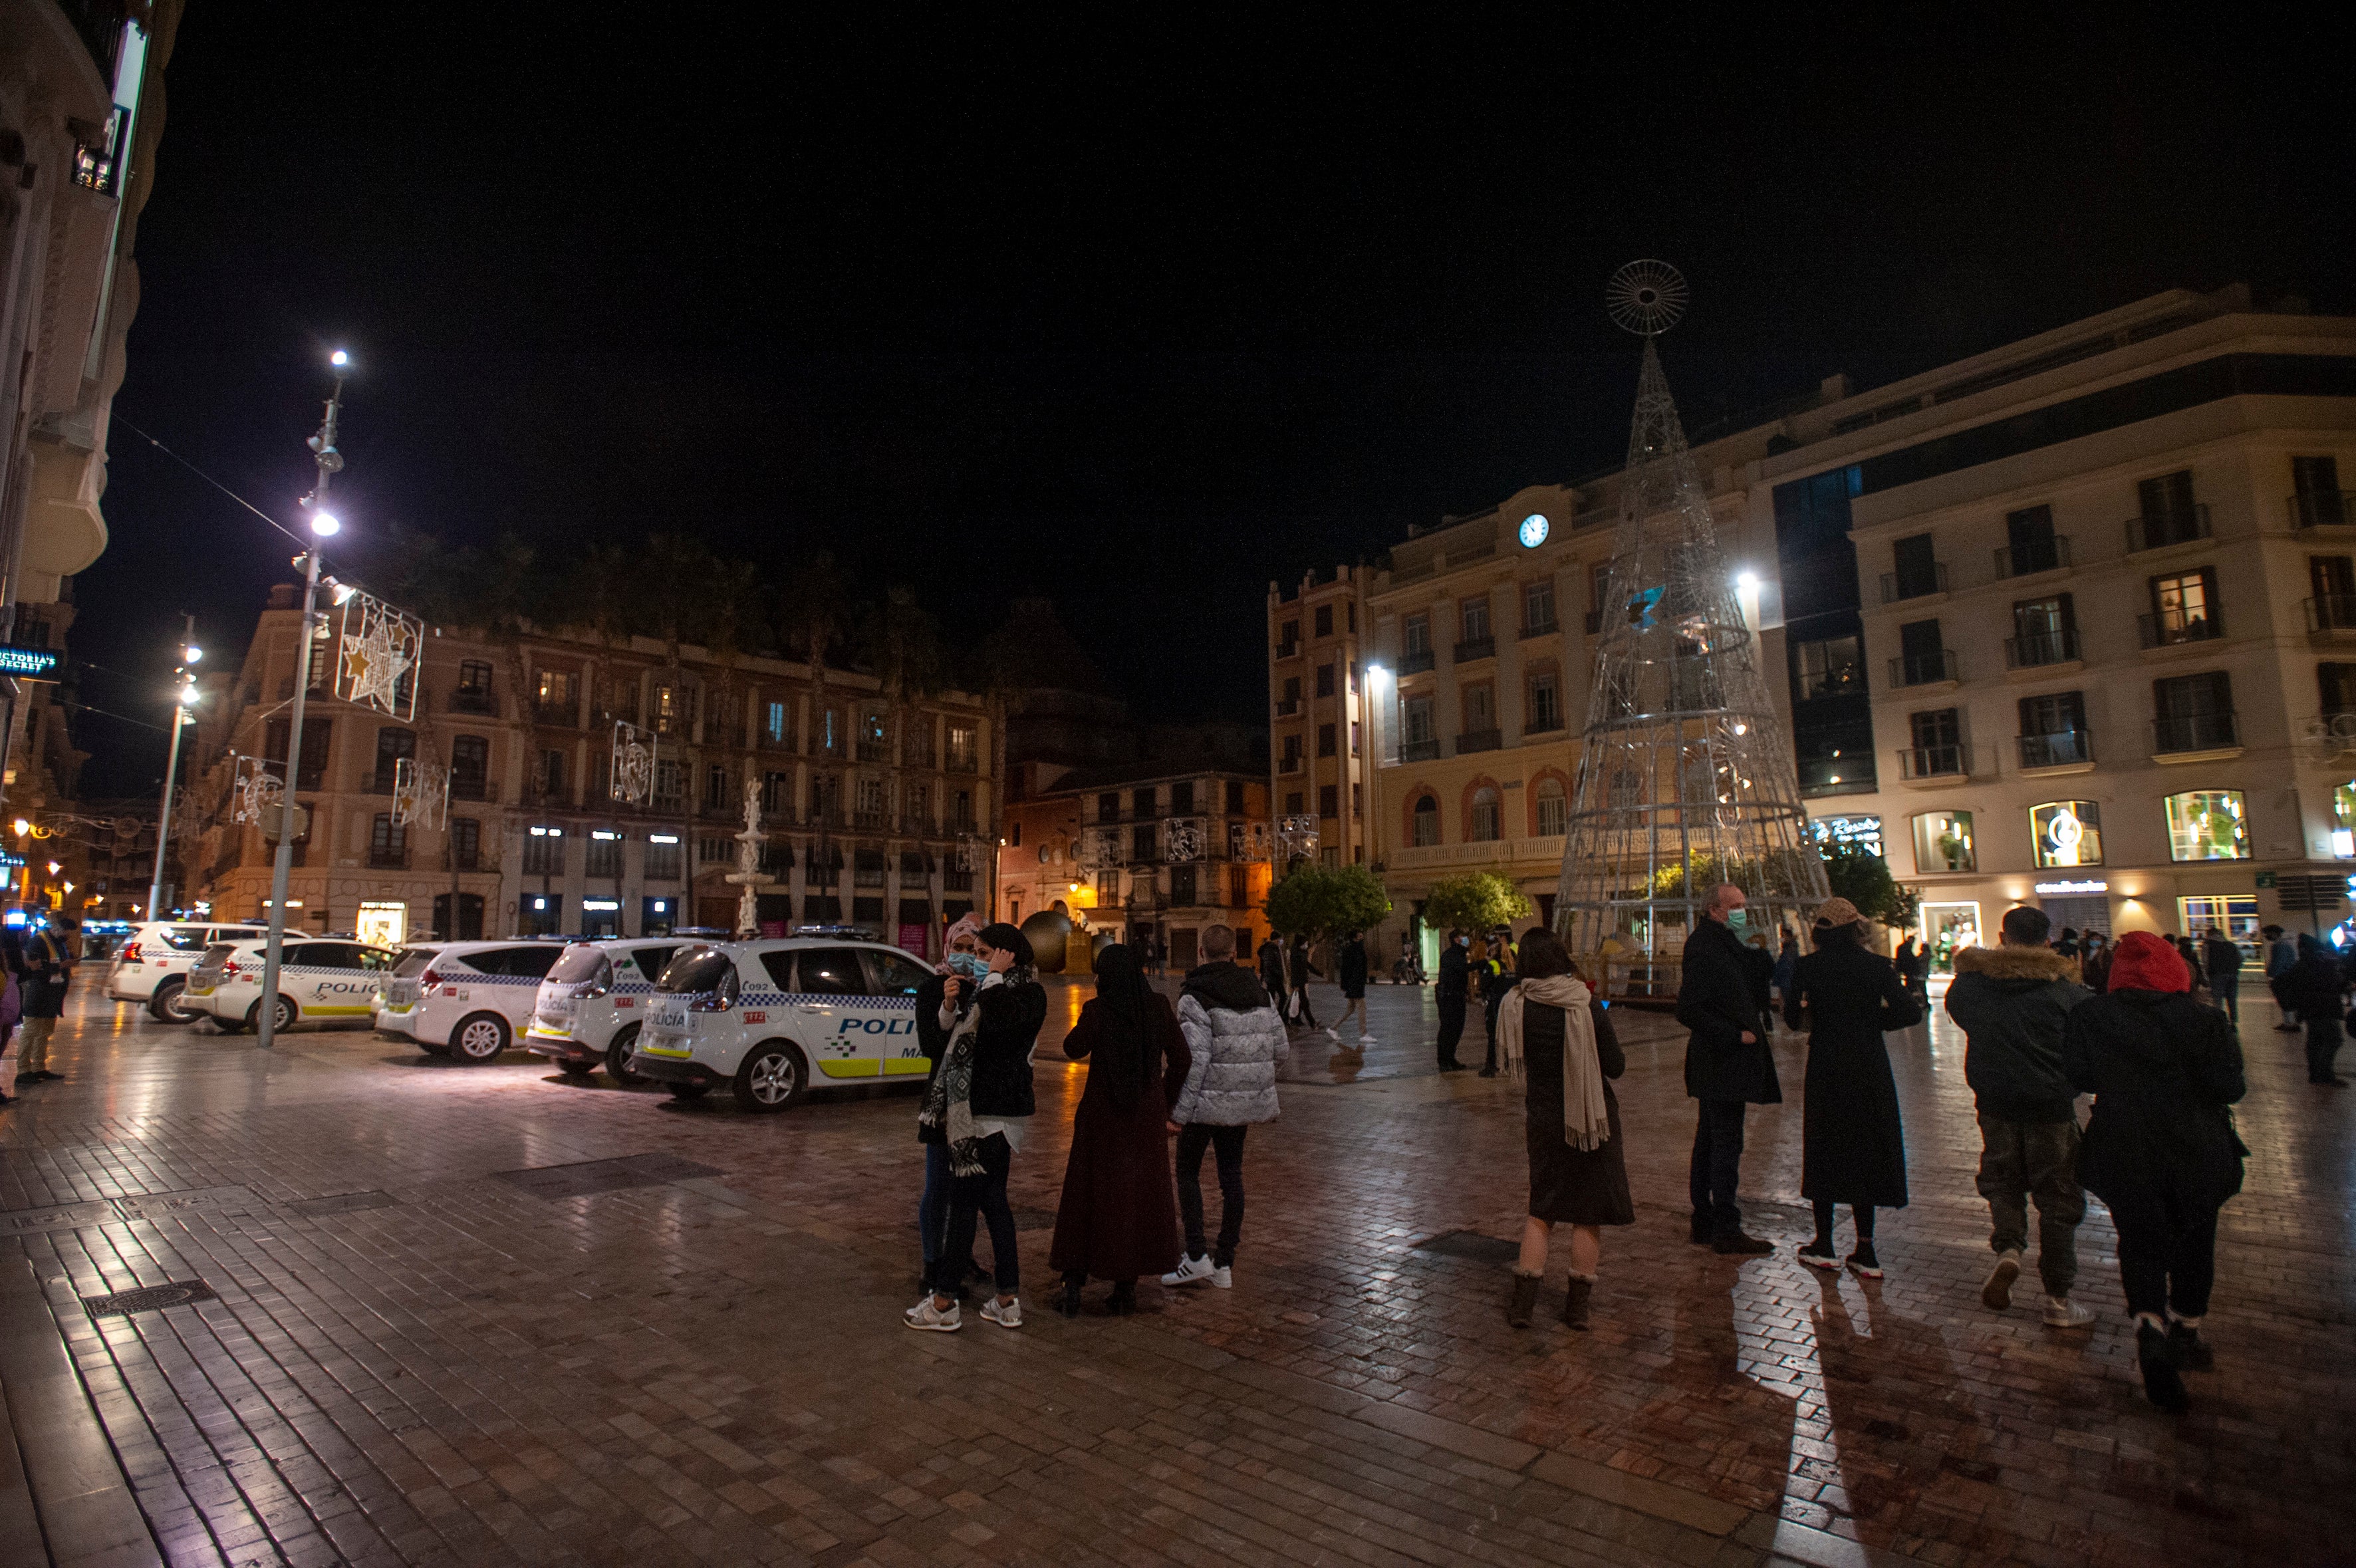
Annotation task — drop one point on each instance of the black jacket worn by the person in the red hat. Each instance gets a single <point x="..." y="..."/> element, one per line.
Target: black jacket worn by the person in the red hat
<point x="2164" y="1072"/>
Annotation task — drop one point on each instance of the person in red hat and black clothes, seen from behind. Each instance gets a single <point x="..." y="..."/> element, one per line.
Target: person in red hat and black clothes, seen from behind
<point x="2159" y="1150"/>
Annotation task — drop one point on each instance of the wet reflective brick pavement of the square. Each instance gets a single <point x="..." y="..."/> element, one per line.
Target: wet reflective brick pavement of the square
<point x="454" y="1369"/>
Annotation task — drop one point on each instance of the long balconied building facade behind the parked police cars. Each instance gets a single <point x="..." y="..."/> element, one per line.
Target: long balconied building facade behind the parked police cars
<point x="873" y="806"/>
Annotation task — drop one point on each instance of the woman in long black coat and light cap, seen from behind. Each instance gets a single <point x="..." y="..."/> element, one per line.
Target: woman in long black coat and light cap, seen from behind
<point x="1853" y="1145"/>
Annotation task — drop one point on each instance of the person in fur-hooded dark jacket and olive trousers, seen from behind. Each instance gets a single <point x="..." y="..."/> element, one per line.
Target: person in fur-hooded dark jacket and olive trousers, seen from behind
<point x="2011" y="1004"/>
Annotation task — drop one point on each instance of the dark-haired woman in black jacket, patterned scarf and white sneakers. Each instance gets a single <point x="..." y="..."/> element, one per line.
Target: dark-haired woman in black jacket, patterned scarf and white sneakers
<point x="981" y="1101"/>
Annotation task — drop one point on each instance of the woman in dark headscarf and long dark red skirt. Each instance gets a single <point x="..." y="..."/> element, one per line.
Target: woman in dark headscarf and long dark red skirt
<point x="1118" y="1216"/>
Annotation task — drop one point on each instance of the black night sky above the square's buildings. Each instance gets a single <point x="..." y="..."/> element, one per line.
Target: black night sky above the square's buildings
<point x="1137" y="321"/>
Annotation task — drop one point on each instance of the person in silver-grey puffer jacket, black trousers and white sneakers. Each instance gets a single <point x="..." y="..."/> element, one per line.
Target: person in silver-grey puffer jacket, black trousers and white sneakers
<point x="1236" y="1042"/>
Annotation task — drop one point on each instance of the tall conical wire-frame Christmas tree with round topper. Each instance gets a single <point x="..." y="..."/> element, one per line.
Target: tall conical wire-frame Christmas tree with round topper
<point x="1683" y="780"/>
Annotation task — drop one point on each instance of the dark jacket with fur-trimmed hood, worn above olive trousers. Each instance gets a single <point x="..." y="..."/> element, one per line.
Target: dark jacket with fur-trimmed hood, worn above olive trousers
<point x="2011" y="1004"/>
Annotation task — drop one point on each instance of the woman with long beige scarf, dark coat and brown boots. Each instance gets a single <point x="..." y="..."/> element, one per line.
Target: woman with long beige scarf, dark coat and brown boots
<point x="1558" y="1042"/>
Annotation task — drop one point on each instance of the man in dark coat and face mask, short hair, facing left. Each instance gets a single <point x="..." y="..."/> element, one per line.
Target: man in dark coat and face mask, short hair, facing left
<point x="1728" y="1065"/>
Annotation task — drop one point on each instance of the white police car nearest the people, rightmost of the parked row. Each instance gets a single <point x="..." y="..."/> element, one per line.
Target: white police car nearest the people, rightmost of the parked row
<point x="779" y="1018"/>
